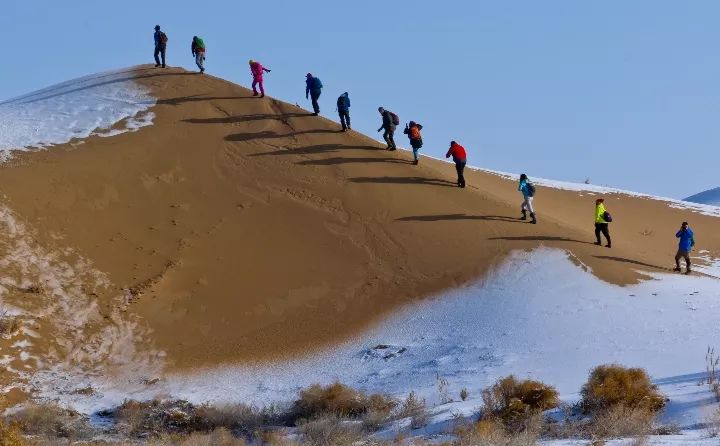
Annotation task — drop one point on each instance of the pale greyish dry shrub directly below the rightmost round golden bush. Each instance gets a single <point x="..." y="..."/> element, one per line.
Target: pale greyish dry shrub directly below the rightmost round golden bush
<point x="622" y="422"/>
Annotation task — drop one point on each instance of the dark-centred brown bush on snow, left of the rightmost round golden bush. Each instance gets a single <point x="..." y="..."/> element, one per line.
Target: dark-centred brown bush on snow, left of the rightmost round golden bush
<point x="514" y="402"/>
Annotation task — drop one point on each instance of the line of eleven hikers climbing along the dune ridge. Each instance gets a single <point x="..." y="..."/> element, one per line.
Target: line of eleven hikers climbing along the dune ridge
<point x="390" y="121"/>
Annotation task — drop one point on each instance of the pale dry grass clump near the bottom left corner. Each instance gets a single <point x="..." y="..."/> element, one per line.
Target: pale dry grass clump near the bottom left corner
<point x="49" y="420"/>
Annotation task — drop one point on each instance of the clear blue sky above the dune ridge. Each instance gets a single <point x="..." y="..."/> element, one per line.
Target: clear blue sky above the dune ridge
<point x="624" y="93"/>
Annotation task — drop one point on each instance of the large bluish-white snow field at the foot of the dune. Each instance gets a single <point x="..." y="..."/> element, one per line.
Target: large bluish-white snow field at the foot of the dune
<point x="539" y="315"/>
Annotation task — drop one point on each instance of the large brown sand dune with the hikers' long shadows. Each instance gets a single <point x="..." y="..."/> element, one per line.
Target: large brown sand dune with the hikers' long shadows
<point x="238" y="228"/>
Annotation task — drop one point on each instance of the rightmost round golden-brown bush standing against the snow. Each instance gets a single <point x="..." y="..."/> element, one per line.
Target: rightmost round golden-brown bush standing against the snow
<point x="613" y="385"/>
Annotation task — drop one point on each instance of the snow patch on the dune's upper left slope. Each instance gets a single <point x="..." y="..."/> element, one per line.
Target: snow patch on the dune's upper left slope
<point x="75" y="109"/>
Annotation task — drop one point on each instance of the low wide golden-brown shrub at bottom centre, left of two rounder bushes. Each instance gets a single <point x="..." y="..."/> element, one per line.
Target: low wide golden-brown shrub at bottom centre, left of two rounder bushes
<point x="338" y="399"/>
